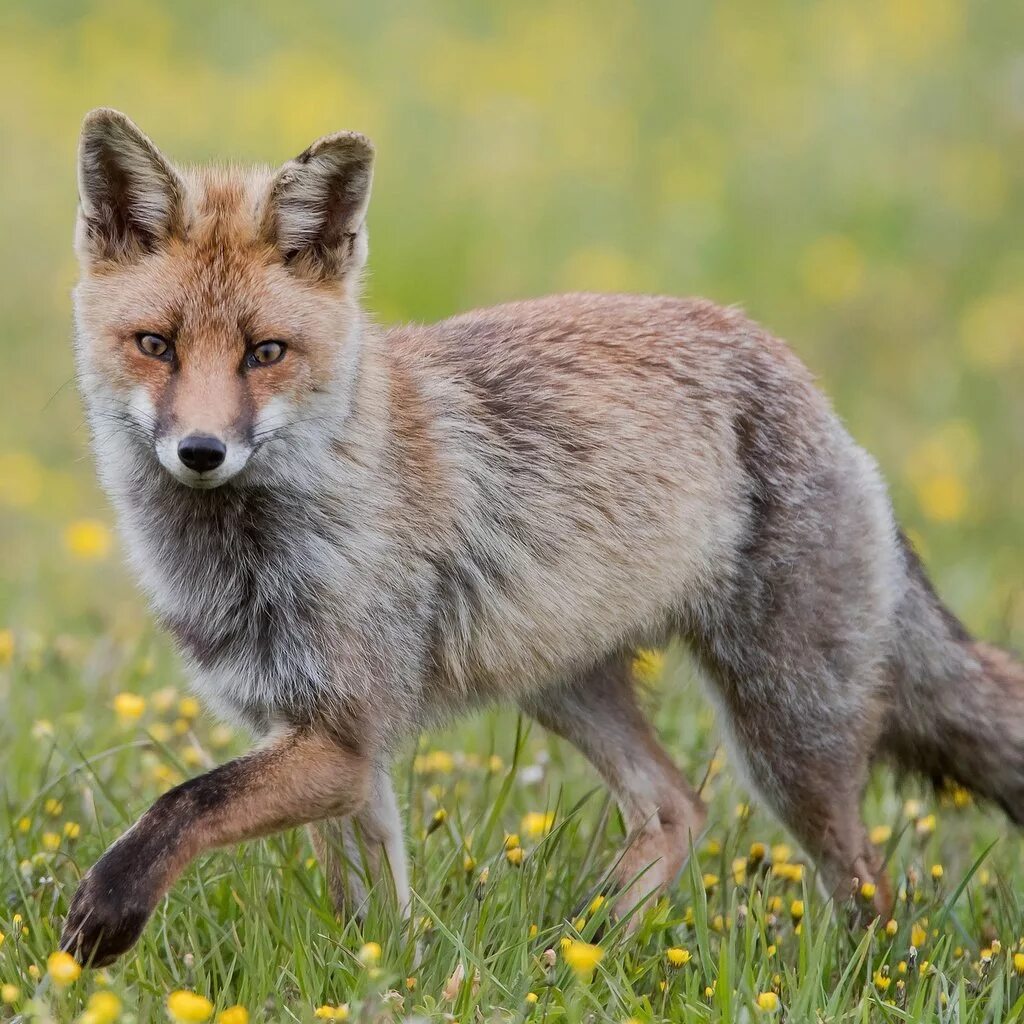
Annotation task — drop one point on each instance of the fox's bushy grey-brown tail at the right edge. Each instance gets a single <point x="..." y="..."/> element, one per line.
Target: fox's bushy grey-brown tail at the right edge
<point x="959" y="704"/>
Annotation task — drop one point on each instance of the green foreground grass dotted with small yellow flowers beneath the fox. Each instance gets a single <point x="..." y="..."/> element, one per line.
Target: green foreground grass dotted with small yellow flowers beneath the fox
<point x="489" y="938"/>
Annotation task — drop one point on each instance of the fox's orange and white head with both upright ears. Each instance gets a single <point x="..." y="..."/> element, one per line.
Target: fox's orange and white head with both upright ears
<point x="217" y="310"/>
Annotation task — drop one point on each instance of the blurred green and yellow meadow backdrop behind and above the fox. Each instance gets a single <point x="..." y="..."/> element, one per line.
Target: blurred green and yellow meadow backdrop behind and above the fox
<point x="851" y="174"/>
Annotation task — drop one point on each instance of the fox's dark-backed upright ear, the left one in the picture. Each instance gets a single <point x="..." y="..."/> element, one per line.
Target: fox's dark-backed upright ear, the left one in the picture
<point x="131" y="197"/>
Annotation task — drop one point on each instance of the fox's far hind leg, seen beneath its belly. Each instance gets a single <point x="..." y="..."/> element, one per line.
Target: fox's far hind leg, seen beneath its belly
<point x="599" y="714"/>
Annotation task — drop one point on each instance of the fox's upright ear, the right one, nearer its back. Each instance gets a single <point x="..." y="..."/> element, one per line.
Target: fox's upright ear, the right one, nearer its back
<point x="317" y="207"/>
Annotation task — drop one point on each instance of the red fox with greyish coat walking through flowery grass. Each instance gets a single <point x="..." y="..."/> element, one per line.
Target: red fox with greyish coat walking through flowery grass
<point x="355" y="533"/>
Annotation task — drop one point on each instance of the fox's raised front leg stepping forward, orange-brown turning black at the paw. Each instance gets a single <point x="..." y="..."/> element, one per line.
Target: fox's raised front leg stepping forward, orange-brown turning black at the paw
<point x="305" y="777"/>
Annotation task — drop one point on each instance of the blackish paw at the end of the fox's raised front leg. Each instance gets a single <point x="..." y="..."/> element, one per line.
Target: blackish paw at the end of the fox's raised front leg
<point x="105" y="921"/>
